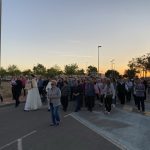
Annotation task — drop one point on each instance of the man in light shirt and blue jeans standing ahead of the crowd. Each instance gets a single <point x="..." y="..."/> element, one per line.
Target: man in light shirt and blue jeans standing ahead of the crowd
<point x="54" y="95"/>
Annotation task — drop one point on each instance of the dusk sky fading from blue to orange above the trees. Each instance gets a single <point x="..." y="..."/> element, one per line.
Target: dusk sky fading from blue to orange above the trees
<point x="64" y="32"/>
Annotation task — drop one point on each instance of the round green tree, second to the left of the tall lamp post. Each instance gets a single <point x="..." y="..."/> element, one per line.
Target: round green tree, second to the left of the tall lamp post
<point x="71" y="69"/>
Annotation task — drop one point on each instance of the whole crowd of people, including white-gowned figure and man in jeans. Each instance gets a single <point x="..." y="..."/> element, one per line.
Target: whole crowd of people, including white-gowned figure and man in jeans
<point x="84" y="91"/>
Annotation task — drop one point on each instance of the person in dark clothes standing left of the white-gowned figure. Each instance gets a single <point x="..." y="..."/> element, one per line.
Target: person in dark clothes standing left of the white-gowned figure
<point x="17" y="91"/>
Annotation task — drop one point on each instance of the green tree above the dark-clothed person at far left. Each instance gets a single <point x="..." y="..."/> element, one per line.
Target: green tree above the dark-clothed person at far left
<point x="13" y="70"/>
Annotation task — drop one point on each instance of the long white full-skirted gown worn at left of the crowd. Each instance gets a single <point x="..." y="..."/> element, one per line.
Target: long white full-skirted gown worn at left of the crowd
<point x="33" y="100"/>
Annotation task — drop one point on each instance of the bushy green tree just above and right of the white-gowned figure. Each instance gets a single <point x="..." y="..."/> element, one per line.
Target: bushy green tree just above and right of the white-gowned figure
<point x="39" y="69"/>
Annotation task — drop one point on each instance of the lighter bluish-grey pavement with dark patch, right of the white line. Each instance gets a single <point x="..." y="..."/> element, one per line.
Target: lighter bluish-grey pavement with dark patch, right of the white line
<point x="129" y="131"/>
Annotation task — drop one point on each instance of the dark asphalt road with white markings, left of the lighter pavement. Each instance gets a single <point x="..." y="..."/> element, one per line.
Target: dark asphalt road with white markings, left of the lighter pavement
<point x="21" y="130"/>
